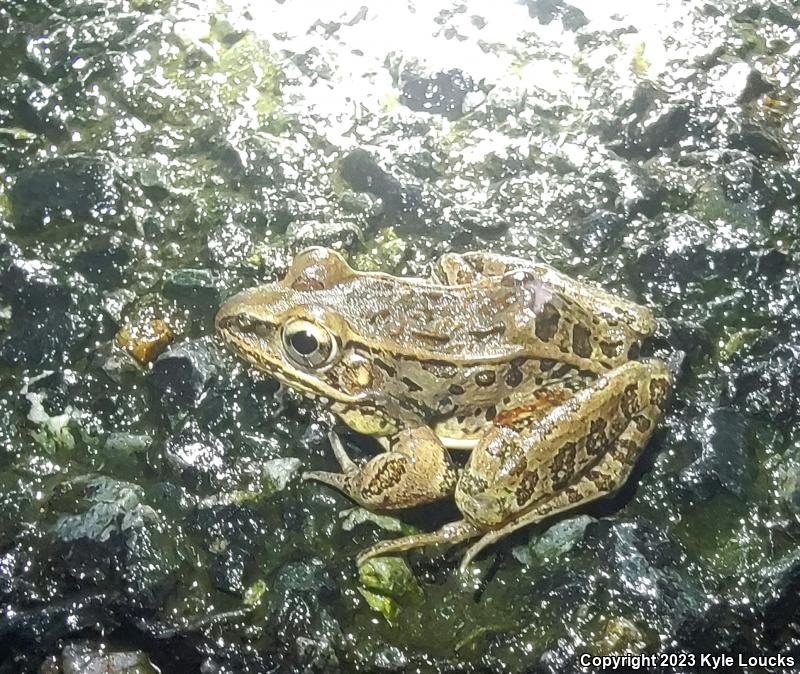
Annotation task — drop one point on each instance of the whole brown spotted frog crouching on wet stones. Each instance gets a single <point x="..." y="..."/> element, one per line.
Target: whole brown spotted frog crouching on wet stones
<point x="535" y="374"/>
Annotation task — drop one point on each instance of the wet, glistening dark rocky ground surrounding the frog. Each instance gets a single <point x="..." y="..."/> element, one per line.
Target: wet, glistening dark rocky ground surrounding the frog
<point x="158" y="155"/>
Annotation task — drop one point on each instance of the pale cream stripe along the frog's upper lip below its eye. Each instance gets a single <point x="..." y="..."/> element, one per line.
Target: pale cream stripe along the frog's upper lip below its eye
<point x="256" y="350"/>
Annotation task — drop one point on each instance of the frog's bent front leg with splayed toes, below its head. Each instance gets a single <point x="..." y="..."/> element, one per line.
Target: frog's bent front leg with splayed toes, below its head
<point x="416" y="470"/>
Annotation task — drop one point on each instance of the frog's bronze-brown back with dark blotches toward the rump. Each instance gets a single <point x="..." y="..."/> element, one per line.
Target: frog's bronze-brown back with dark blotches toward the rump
<point x="518" y="316"/>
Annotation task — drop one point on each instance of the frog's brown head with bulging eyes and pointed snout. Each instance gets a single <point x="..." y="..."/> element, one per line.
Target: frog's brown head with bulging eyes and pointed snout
<point x="291" y="330"/>
